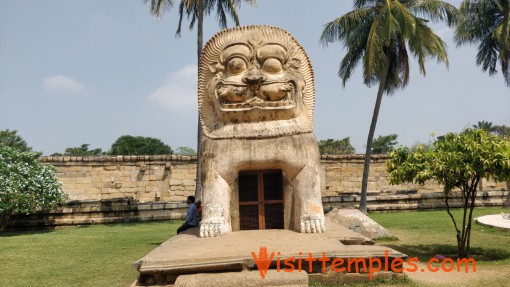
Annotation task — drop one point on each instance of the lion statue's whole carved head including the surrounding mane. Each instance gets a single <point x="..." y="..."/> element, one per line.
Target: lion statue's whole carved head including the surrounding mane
<point x="253" y="80"/>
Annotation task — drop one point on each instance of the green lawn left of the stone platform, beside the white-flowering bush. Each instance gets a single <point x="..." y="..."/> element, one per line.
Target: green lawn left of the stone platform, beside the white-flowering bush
<point x="98" y="255"/>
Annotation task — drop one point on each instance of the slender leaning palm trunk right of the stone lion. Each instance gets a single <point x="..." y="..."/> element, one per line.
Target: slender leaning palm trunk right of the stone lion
<point x="373" y="124"/>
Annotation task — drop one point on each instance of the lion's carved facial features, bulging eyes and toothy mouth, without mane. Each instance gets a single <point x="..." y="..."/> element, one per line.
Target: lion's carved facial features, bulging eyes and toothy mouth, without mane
<point x="253" y="78"/>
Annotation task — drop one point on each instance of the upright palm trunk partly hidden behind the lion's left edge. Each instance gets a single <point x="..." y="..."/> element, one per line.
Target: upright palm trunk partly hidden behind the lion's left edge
<point x="200" y="35"/>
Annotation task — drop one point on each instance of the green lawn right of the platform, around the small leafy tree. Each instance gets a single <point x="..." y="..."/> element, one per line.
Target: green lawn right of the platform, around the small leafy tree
<point x="427" y="233"/>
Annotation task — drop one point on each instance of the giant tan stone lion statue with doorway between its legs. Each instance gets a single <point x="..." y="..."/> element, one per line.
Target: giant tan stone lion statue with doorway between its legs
<point x="256" y="100"/>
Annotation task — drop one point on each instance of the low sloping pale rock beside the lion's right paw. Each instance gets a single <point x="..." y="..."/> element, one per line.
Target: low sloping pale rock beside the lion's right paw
<point x="359" y="222"/>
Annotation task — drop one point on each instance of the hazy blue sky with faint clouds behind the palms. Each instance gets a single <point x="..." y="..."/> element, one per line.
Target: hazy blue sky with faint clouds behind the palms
<point x="76" y="72"/>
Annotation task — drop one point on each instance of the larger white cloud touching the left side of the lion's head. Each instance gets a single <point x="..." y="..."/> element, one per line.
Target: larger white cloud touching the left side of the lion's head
<point x="179" y="90"/>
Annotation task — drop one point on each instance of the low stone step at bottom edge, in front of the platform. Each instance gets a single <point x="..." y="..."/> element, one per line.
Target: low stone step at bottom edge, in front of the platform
<point x="245" y="279"/>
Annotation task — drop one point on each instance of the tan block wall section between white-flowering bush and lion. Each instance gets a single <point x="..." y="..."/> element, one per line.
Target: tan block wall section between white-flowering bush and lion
<point x="168" y="178"/>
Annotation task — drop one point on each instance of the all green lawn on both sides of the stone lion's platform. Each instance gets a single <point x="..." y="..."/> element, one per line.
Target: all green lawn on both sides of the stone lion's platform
<point x="101" y="255"/>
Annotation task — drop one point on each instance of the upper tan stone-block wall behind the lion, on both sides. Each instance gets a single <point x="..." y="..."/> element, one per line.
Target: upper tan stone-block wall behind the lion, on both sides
<point x="171" y="178"/>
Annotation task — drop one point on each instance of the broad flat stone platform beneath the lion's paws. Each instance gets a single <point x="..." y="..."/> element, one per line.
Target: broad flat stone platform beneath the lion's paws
<point x="175" y="258"/>
